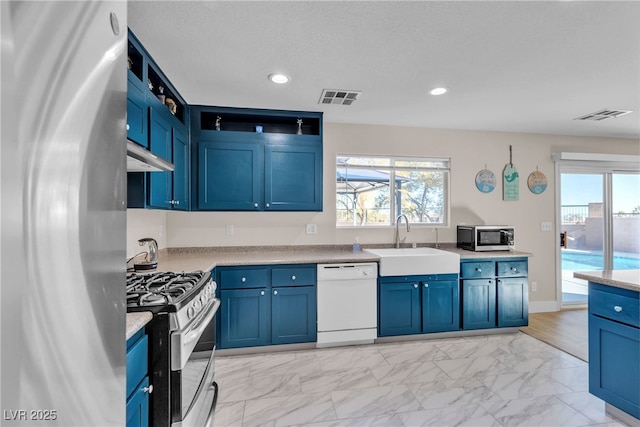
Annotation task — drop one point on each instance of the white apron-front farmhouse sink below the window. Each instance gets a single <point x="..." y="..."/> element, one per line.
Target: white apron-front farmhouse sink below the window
<point x="414" y="261"/>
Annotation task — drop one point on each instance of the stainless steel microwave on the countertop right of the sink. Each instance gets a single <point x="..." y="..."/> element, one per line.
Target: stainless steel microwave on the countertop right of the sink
<point x="486" y="237"/>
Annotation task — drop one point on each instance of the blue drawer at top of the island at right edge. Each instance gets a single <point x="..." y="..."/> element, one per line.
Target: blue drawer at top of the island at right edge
<point x="621" y="308"/>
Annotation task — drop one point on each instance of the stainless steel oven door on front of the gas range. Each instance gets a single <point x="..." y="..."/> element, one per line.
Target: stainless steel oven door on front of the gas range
<point x="193" y="391"/>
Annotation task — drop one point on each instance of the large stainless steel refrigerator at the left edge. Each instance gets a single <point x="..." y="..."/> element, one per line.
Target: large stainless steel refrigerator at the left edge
<point x="62" y="211"/>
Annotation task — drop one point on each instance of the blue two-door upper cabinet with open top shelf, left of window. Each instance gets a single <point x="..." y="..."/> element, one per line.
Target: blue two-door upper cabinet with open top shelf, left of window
<point x="257" y="160"/>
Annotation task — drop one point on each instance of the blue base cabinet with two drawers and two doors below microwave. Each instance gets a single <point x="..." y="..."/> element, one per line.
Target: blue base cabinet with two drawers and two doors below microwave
<point x="495" y="293"/>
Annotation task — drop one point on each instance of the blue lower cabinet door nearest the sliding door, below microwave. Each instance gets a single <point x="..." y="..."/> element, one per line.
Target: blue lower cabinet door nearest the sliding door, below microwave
<point x="513" y="302"/>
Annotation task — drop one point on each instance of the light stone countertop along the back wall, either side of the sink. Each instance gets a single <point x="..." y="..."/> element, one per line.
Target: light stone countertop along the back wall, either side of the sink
<point x="206" y="258"/>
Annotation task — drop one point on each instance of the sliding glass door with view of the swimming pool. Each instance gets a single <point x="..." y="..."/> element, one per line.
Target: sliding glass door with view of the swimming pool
<point x="600" y="225"/>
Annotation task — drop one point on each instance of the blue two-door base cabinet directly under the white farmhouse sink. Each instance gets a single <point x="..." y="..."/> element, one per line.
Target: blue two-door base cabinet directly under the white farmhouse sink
<point x="418" y="304"/>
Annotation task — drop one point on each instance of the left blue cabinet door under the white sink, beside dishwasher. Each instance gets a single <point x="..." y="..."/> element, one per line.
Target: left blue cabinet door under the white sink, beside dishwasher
<point x="399" y="308"/>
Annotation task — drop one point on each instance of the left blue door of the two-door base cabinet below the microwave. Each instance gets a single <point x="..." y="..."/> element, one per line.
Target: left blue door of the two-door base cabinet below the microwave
<point x="479" y="304"/>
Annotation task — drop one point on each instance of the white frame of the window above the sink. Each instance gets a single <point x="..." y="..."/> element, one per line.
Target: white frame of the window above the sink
<point x="393" y="167"/>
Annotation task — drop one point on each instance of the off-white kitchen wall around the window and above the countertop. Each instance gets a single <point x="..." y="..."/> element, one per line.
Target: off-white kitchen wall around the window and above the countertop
<point x="469" y="151"/>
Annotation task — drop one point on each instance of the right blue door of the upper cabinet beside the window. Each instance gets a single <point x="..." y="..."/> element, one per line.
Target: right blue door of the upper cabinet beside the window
<point x="293" y="176"/>
